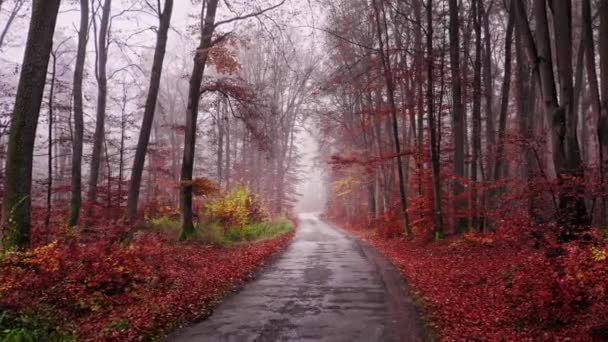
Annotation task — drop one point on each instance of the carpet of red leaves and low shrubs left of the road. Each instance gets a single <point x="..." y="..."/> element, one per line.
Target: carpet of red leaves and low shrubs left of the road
<point x="147" y="285"/>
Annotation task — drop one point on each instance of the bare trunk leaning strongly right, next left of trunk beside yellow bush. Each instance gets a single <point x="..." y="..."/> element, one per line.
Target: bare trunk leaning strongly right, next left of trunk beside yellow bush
<point x="149" y="110"/>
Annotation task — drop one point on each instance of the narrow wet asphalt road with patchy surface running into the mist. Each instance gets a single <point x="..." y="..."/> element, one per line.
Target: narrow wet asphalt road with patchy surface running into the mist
<point x="324" y="287"/>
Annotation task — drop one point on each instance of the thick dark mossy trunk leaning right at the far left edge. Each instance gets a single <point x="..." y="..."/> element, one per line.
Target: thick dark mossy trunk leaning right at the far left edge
<point x="18" y="172"/>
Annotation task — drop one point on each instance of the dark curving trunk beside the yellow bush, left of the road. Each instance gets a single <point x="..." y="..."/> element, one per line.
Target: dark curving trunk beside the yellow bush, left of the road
<point x="196" y="79"/>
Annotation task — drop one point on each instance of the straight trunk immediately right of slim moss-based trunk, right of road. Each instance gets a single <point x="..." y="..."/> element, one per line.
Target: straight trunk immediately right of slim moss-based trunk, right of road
<point x="458" y="131"/>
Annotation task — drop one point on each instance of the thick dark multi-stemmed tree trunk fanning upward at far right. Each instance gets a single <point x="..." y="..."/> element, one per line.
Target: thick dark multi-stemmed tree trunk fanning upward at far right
<point x="572" y="213"/>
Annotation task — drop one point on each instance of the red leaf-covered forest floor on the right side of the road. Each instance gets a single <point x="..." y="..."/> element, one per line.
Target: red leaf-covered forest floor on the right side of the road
<point x="480" y="287"/>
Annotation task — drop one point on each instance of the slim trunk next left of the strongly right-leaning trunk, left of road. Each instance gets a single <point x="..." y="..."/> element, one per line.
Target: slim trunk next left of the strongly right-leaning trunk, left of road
<point x="102" y="92"/>
